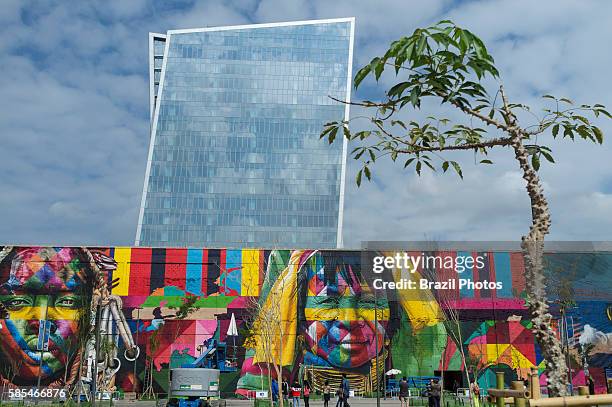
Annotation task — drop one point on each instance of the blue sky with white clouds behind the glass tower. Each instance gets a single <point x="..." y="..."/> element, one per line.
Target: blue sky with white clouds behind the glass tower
<point x="74" y="119"/>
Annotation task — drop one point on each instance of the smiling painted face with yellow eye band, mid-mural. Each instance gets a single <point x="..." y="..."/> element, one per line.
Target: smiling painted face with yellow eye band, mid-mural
<point x="340" y="315"/>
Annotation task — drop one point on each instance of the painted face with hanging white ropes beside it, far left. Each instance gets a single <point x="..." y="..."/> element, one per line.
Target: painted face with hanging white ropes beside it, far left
<point x="57" y="288"/>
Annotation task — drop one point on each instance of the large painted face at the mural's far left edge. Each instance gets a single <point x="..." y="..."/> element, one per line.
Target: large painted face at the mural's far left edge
<point x="41" y="283"/>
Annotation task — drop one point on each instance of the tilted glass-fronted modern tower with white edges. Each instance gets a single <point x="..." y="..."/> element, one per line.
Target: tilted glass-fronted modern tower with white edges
<point x="235" y="157"/>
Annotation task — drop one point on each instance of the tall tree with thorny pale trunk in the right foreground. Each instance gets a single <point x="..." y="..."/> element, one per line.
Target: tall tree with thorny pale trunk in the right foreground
<point x="449" y="64"/>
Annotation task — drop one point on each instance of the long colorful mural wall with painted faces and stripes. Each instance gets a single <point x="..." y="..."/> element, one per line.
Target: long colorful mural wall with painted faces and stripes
<point x="334" y="322"/>
